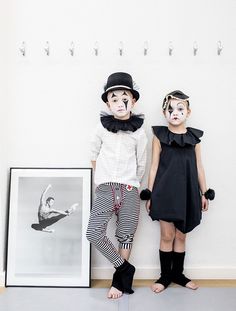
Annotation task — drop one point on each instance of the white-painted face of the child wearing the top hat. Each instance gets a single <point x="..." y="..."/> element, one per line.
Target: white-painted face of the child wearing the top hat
<point x="120" y="102"/>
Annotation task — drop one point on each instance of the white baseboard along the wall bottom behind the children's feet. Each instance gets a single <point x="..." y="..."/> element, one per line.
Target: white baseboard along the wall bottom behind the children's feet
<point x="224" y="273"/>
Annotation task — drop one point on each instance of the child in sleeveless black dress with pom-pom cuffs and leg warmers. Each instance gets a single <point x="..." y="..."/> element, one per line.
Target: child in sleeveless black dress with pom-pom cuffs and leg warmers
<point x="177" y="191"/>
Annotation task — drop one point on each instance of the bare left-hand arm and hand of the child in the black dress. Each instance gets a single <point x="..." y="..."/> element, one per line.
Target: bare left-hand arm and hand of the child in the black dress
<point x="156" y="150"/>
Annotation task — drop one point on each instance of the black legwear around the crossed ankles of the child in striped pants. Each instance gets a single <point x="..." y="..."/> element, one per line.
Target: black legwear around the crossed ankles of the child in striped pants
<point x="123" y="277"/>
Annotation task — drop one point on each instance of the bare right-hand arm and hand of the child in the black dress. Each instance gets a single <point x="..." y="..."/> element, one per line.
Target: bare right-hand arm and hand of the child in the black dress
<point x="201" y="177"/>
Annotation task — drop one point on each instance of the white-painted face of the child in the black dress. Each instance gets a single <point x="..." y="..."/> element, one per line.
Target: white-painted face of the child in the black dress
<point x="176" y="111"/>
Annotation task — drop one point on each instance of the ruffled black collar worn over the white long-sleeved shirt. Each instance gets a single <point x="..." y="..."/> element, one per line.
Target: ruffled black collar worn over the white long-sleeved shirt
<point x="114" y="125"/>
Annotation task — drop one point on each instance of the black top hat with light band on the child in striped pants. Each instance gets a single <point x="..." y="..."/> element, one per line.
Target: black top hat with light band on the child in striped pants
<point x="119" y="81"/>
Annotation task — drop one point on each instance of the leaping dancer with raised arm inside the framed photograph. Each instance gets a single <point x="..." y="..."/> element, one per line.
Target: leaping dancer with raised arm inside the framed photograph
<point x="47" y="215"/>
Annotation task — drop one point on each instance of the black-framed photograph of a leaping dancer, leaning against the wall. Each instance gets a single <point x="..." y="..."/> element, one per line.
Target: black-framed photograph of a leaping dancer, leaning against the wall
<point x="48" y="215"/>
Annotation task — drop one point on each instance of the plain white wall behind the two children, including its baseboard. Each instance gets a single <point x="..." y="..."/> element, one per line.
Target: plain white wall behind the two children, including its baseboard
<point x="50" y="105"/>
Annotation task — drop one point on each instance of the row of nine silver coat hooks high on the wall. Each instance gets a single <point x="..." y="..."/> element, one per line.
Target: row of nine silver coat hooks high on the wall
<point x="71" y="49"/>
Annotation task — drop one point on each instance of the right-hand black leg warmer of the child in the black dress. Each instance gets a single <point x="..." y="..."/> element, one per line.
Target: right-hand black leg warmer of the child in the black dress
<point x="177" y="270"/>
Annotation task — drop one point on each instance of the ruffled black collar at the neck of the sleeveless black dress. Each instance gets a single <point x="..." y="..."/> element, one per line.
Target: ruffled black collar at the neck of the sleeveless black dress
<point x="191" y="137"/>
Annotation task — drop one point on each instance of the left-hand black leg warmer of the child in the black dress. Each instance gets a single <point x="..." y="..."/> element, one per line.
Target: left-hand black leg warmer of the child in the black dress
<point x="166" y="263"/>
